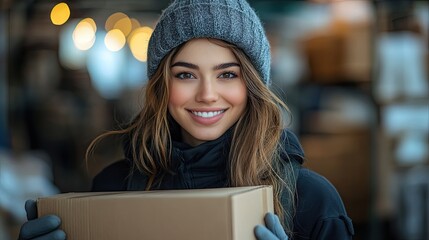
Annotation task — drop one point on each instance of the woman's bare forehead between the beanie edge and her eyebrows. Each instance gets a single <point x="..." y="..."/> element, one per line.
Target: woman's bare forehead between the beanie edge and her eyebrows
<point x="202" y="50"/>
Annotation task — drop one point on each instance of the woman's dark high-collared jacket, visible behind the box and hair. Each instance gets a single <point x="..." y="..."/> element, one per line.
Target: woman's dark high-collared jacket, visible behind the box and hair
<point x="320" y="213"/>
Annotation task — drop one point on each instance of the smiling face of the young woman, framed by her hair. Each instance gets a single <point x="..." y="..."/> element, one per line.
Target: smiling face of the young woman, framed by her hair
<point x="207" y="92"/>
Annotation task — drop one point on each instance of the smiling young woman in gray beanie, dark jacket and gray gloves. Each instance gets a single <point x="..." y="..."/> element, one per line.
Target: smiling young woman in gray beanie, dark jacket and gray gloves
<point x="209" y="120"/>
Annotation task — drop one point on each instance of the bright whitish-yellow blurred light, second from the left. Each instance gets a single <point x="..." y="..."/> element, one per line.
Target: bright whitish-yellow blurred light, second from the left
<point x="84" y="35"/>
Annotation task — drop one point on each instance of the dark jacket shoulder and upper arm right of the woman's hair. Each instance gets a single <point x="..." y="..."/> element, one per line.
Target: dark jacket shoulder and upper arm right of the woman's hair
<point x="320" y="212"/>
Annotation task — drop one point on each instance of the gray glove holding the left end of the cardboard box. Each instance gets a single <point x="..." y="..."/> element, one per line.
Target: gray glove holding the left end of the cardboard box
<point x="43" y="228"/>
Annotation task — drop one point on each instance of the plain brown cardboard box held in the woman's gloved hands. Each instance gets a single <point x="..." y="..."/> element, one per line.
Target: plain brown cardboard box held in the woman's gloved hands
<point x="222" y="213"/>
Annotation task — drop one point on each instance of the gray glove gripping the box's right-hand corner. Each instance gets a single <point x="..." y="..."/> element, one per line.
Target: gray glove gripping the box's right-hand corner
<point x="272" y="230"/>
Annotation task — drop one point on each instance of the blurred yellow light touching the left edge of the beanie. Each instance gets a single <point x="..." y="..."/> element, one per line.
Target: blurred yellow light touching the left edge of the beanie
<point x="139" y="42"/>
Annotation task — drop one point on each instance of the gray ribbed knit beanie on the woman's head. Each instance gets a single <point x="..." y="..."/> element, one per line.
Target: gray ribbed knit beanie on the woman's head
<point x="233" y="21"/>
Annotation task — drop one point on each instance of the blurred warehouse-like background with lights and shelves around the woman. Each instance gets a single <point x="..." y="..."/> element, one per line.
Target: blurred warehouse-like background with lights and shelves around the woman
<point x="354" y="74"/>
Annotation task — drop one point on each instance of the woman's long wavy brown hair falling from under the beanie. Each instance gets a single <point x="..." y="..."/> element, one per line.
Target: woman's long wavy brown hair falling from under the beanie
<point x="256" y="149"/>
